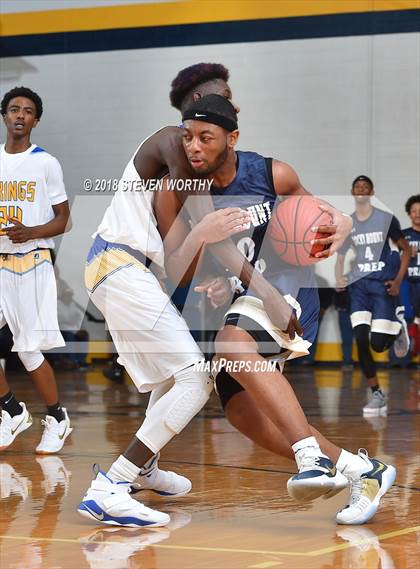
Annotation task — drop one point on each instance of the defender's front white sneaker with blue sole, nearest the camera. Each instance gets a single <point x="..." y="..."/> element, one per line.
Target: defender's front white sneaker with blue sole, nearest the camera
<point x="110" y="503"/>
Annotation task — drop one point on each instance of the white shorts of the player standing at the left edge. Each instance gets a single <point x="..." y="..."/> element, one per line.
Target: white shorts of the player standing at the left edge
<point x="28" y="301"/>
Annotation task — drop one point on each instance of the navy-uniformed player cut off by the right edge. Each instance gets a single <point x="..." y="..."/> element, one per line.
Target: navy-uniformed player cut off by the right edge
<point x="412" y="235"/>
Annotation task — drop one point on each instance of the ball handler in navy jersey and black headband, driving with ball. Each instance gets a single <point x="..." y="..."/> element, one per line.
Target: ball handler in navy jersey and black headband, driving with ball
<point x="269" y="411"/>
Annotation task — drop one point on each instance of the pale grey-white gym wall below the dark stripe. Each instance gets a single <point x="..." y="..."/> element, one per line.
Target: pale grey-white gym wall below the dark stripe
<point x="333" y="108"/>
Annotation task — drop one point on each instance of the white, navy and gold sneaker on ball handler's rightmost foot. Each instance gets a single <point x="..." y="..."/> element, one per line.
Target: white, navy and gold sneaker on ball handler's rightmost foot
<point x="366" y="492"/>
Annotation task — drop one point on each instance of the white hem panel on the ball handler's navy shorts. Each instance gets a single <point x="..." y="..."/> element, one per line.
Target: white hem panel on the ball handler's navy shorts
<point x="254" y="308"/>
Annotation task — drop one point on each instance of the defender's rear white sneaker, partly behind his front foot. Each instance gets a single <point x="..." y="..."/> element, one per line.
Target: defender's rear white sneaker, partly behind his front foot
<point x="162" y="482"/>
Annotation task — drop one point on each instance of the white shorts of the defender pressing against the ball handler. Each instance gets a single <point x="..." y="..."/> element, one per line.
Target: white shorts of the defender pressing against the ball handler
<point x="152" y="339"/>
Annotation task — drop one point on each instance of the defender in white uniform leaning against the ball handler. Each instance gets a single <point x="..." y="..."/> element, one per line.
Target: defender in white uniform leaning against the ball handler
<point x="140" y="316"/>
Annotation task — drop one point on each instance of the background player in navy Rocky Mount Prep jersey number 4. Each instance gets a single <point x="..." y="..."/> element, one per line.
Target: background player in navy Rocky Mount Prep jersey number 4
<point x="374" y="285"/>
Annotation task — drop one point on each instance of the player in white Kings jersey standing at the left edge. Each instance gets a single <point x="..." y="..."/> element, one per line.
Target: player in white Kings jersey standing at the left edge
<point x="33" y="209"/>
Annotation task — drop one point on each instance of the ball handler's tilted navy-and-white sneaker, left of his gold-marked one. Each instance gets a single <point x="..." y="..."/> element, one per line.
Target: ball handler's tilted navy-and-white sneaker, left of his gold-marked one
<point x="317" y="477"/>
